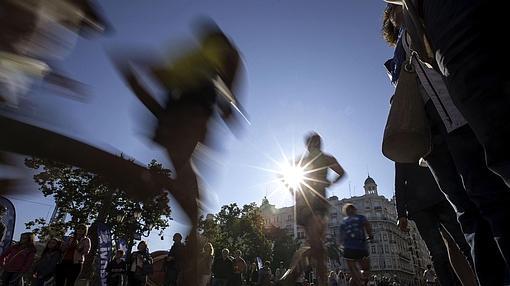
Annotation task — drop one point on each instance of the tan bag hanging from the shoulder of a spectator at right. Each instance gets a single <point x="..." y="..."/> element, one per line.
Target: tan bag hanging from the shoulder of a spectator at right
<point x="407" y="135"/>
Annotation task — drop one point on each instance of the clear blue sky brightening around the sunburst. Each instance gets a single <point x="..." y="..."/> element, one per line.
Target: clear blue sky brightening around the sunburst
<point x="308" y="66"/>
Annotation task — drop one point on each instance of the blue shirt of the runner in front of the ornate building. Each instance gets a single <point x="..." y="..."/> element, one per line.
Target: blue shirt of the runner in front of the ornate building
<point x="353" y="232"/>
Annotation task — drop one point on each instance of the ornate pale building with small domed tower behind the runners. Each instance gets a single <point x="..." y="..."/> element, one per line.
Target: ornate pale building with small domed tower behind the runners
<point x="399" y="255"/>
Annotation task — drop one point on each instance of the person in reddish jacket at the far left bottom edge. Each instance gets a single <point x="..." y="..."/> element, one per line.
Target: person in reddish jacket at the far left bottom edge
<point x="17" y="260"/>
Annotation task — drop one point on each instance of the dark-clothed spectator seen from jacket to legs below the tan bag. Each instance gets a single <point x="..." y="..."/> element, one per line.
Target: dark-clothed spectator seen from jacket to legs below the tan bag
<point x="419" y="198"/>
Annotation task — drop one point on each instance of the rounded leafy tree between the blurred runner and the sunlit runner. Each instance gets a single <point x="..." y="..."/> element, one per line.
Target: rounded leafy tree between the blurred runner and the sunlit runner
<point x="237" y="229"/>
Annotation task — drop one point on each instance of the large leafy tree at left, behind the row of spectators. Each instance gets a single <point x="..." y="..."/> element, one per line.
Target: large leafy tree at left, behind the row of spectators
<point x="88" y="198"/>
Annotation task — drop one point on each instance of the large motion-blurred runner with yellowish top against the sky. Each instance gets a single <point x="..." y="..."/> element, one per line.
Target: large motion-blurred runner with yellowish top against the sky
<point x="196" y="83"/>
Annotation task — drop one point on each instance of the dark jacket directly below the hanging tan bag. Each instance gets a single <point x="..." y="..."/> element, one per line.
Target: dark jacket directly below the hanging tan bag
<point x="415" y="189"/>
